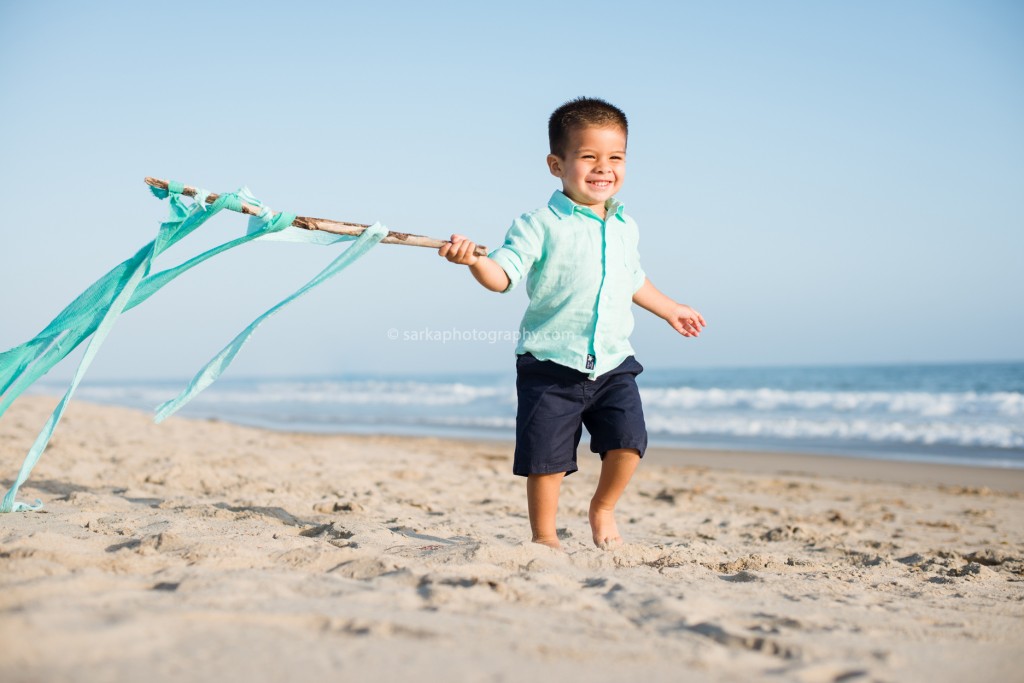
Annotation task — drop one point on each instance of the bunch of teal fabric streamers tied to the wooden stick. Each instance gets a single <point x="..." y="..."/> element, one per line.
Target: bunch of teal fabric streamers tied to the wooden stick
<point x="95" y="312"/>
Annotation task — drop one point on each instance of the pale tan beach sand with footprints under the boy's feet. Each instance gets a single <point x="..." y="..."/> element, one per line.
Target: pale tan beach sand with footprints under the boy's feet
<point x="202" y="551"/>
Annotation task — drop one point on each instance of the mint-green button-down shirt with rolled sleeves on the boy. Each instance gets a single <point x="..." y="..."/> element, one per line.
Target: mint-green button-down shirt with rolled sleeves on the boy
<point x="581" y="276"/>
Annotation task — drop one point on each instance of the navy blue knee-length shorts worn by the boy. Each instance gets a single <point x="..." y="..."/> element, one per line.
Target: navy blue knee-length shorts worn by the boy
<point x="557" y="402"/>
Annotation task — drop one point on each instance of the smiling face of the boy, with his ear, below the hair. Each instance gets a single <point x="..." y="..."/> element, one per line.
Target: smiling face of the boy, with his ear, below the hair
<point x="594" y="165"/>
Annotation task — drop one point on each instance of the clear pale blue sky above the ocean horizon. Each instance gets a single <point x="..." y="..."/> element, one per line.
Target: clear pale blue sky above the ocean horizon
<point x="827" y="183"/>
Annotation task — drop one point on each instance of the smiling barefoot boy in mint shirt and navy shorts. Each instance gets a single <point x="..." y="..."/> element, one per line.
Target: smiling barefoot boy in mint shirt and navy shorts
<point x="575" y="365"/>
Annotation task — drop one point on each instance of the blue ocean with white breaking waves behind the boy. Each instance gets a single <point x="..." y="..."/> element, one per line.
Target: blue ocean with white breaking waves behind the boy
<point x="970" y="414"/>
